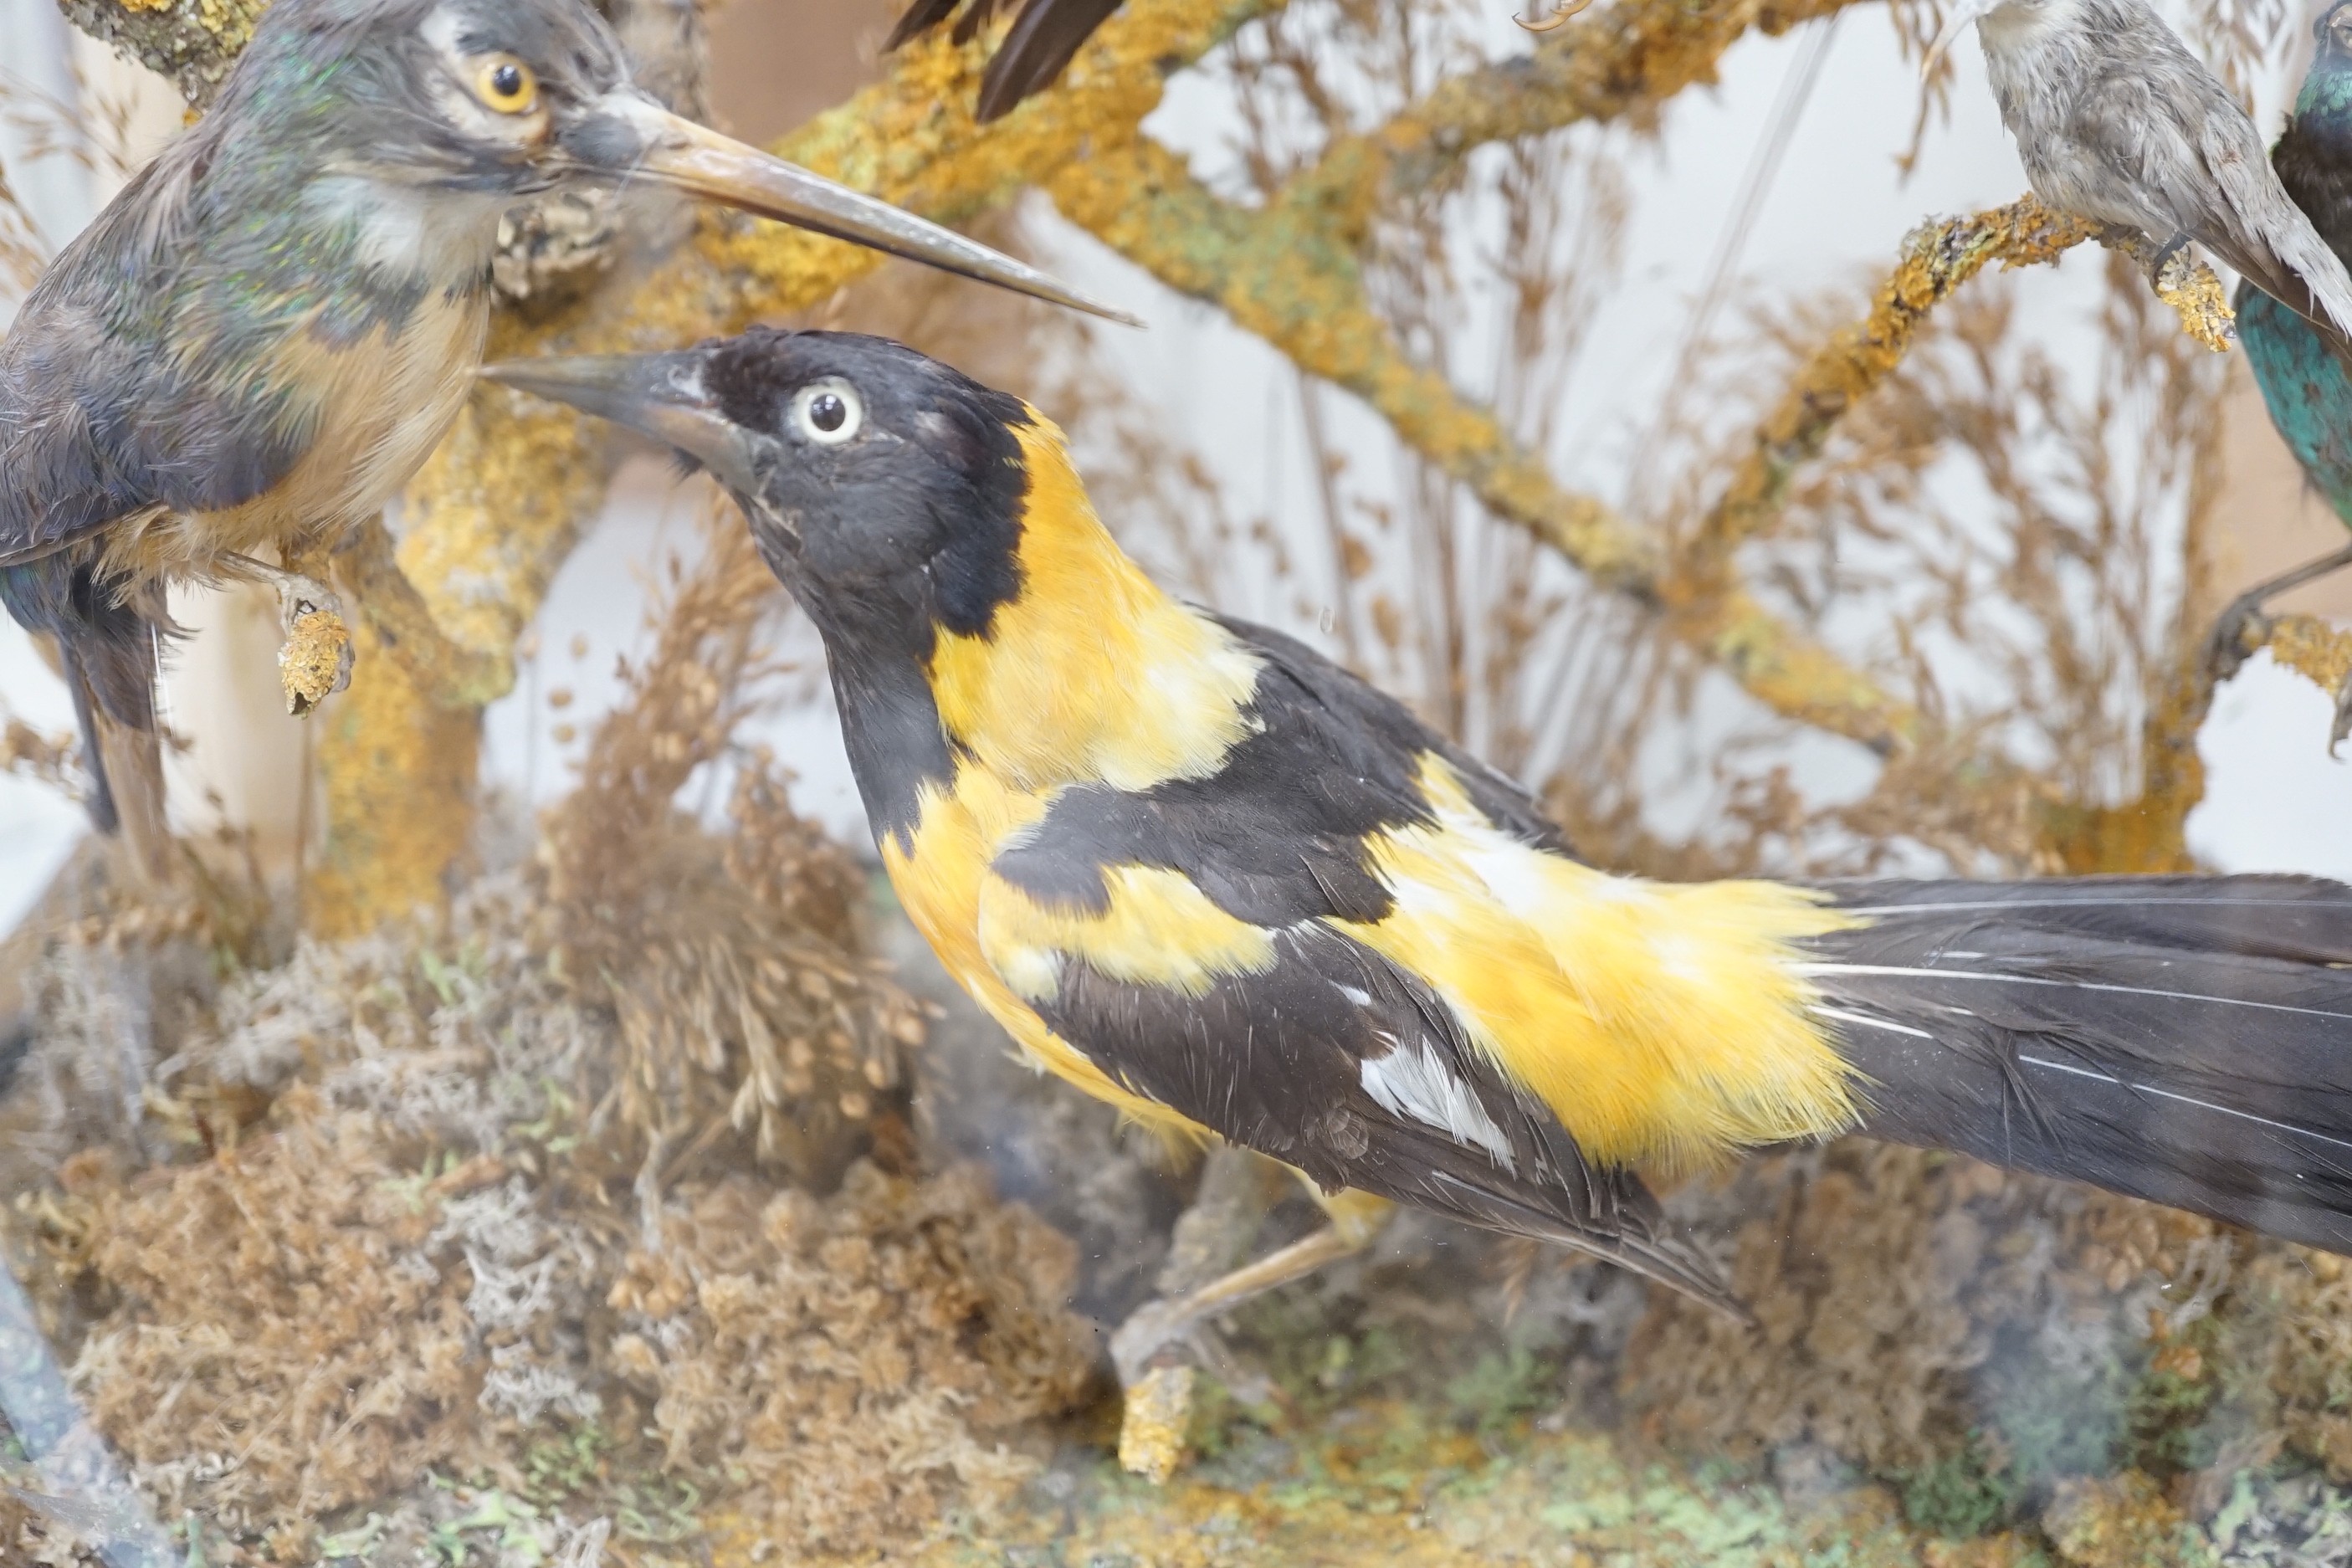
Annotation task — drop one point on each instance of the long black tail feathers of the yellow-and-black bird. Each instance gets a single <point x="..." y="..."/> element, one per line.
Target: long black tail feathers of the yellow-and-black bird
<point x="2184" y="1040"/>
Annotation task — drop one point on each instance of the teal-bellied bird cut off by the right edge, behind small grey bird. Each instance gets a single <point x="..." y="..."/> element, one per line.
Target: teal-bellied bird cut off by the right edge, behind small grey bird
<point x="2304" y="384"/>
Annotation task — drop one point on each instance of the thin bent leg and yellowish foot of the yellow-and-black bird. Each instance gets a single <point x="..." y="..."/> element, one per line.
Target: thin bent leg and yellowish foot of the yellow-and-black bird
<point x="1151" y="1348"/>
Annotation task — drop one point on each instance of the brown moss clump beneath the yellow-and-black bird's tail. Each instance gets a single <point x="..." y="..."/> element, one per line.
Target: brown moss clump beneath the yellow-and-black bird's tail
<point x="1885" y="1282"/>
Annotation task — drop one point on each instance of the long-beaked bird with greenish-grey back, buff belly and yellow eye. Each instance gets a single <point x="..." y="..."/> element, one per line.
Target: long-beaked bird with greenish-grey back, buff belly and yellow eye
<point x="274" y="326"/>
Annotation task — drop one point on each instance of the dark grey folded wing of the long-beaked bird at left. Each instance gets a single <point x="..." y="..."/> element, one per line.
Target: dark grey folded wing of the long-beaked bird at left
<point x="100" y="413"/>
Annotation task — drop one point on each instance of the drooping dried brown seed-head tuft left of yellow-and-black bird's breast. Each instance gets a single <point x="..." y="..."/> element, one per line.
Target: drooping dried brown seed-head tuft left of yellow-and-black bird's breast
<point x="735" y="965"/>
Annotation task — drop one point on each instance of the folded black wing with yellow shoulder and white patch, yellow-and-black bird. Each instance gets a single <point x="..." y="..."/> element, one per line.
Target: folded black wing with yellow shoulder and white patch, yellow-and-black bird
<point x="1203" y="946"/>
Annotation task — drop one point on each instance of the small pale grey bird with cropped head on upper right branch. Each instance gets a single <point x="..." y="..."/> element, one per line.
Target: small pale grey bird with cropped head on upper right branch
<point x="2116" y="121"/>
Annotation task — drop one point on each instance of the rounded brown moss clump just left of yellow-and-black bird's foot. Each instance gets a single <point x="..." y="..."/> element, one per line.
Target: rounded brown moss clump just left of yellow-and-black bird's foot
<point x="850" y="1358"/>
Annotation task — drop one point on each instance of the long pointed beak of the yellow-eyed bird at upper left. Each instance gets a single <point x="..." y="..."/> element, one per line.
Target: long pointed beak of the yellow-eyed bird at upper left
<point x="627" y="133"/>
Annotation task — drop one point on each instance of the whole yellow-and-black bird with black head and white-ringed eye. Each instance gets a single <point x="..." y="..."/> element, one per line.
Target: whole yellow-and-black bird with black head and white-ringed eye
<point x="1234" y="890"/>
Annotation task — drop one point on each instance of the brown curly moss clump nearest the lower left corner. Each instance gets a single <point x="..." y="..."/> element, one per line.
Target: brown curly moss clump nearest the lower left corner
<point x="286" y="1341"/>
